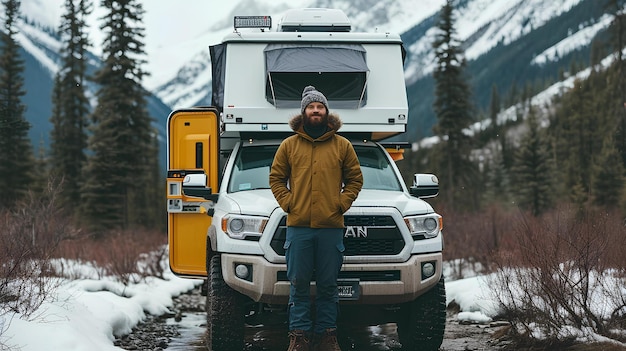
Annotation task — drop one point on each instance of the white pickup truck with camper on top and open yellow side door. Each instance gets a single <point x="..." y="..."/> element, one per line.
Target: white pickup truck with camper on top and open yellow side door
<point x="223" y="221"/>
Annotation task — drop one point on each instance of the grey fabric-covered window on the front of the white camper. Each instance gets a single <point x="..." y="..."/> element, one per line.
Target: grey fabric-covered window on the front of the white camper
<point x="339" y="71"/>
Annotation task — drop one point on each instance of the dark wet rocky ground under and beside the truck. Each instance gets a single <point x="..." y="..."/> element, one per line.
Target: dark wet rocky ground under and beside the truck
<point x="169" y="332"/>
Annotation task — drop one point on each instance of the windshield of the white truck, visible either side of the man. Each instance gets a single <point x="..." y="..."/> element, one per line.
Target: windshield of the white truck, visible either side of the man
<point x="252" y="168"/>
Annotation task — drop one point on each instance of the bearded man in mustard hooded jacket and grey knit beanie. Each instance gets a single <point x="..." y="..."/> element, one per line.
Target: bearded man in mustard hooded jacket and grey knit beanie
<point x="315" y="178"/>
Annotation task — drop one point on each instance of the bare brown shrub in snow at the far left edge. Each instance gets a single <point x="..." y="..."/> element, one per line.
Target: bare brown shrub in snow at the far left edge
<point x="29" y="234"/>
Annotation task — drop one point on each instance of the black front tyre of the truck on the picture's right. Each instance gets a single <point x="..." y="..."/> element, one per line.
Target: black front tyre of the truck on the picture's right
<point x="423" y="320"/>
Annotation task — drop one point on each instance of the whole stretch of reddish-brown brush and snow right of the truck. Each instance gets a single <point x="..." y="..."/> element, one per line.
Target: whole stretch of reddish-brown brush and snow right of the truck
<point x="551" y="270"/>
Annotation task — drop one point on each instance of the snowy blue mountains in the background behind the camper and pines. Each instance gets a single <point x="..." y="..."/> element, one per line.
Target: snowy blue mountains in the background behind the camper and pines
<point x="506" y="42"/>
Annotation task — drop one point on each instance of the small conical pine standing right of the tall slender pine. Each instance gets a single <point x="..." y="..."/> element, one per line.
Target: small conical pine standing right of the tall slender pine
<point x="532" y="170"/>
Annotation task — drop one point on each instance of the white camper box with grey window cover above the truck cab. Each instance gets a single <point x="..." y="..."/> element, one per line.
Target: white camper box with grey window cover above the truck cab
<point x="258" y="78"/>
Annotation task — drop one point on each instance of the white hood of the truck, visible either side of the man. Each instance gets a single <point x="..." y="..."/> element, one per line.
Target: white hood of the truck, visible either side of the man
<point x="262" y="203"/>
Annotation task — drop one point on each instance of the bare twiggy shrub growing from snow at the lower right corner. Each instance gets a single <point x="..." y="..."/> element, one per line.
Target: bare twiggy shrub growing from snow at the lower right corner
<point x="565" y="271"/>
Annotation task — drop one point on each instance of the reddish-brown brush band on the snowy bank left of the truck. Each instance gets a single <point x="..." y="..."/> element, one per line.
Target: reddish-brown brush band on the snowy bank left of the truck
<point x="38" y="230"/>
